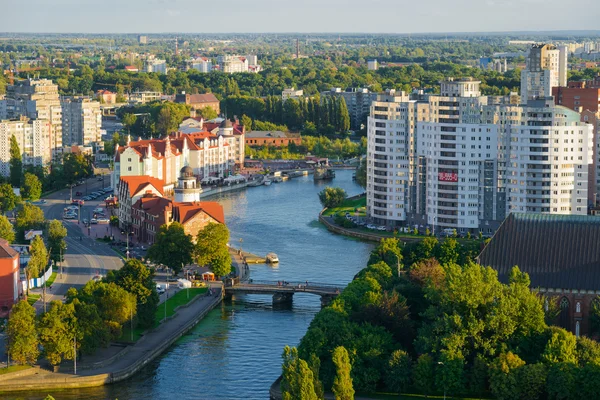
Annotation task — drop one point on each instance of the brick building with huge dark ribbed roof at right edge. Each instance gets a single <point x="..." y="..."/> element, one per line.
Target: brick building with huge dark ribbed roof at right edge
<point x="561" y="255"/>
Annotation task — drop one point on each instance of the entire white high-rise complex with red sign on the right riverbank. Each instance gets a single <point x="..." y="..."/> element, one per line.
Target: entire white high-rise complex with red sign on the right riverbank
<point x="453" y="161"/>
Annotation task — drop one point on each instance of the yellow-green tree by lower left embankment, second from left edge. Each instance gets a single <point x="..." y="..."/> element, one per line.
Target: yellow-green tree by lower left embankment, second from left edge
<point x="58" y="332"/>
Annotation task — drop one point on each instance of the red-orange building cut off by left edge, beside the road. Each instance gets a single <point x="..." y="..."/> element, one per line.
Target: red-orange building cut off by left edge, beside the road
<point x="9" y="278"/>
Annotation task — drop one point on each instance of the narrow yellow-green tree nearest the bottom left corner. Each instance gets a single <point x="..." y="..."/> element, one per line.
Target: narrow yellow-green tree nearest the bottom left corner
<point x="22" y="335"/>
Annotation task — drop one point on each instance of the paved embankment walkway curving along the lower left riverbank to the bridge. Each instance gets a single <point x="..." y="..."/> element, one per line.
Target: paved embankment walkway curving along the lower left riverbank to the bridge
<point x="128" y="361"/>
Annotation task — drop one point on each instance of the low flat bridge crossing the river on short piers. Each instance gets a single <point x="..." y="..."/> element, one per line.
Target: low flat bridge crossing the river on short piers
<point x="283" y="291"/>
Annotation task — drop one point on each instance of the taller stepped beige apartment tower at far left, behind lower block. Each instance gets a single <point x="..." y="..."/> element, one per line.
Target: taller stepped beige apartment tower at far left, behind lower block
<point x="36" y="99"/>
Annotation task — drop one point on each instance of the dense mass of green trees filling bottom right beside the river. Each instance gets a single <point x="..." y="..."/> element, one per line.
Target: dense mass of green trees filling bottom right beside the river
<point x="447" y="326"/>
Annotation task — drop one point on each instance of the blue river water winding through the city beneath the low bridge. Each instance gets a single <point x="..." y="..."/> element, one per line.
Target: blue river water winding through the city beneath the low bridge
<point x="235" y="352"/>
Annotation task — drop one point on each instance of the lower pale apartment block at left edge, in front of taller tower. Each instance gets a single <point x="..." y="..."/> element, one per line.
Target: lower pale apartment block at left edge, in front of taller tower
<point x="33" y="137"/>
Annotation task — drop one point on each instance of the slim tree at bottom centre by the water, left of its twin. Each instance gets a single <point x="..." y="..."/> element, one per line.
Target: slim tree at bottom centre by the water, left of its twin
<point x="297" y="382"/>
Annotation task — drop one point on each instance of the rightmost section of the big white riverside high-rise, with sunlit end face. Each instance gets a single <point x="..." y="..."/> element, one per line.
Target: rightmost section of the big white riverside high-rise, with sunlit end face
<point x="550" y="155"/>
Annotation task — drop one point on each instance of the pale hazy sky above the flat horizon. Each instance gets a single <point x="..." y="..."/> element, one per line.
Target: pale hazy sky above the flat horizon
<point x="252" y="16"/>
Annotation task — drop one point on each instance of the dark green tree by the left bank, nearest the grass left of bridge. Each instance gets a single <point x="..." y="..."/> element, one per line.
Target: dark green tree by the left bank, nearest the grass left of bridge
<point x="137" y="279"/>
